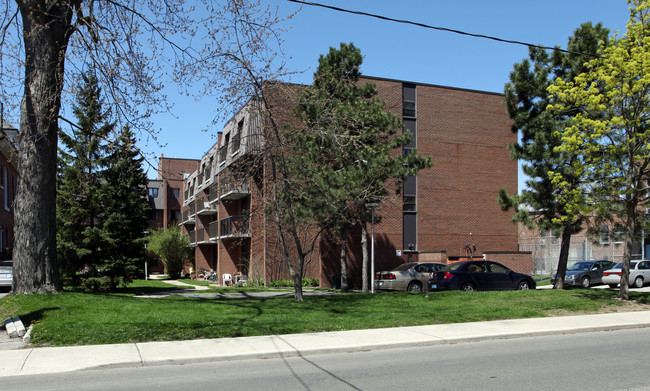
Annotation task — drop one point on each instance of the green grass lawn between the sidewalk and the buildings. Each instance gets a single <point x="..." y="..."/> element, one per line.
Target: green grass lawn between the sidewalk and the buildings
<point x="75" y="318"/>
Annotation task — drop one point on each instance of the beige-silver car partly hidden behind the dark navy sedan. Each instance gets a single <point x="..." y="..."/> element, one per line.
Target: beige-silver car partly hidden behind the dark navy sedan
<point x="410" y="276"/>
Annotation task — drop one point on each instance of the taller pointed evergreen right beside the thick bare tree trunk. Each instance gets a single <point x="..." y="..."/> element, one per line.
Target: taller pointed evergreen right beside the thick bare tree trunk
<point x="80" y="238"/>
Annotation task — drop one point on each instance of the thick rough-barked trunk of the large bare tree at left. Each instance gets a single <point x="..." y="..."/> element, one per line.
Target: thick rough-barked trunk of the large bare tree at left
<point x="45" y="33"/>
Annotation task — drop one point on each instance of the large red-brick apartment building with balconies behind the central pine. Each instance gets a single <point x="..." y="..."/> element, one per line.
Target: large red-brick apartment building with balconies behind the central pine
<point x="440" y="213"/>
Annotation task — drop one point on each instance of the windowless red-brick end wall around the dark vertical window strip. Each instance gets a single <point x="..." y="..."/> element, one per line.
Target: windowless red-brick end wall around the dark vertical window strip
<point x="466" y="133"/>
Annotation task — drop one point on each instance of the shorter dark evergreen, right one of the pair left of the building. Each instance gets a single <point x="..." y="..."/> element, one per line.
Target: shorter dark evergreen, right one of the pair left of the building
<point x="125" y="210"/>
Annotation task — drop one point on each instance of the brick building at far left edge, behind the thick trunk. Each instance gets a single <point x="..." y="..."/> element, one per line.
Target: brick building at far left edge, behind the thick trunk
<point x="8" y="181"/>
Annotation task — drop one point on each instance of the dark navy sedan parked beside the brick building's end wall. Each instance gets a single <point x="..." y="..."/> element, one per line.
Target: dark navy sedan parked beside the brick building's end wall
<point x="479" y="275"/>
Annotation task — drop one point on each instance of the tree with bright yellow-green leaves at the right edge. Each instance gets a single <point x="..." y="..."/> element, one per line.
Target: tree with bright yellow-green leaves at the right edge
<point x="610" y="132"/>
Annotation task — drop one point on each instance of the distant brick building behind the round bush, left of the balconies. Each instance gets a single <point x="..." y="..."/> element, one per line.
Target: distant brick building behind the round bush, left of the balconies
<point x="166" y="196"/>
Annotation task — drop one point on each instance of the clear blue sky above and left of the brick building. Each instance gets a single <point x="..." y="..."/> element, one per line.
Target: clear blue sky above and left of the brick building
<point x="405" y="52"/>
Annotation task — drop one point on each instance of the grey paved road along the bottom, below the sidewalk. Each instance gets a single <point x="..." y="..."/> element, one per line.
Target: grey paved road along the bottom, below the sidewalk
<point x="599" y="360"/>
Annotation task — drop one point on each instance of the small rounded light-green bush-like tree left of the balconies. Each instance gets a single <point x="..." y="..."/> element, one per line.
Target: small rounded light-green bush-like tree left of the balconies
<point x="173" y="248"/>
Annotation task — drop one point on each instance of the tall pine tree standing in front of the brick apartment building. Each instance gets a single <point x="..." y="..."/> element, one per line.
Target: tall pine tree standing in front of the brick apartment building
<point x="345" y="153"/>
